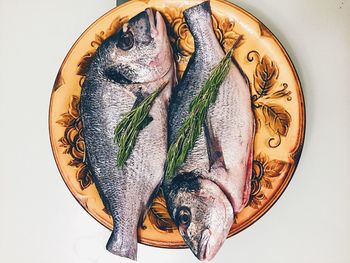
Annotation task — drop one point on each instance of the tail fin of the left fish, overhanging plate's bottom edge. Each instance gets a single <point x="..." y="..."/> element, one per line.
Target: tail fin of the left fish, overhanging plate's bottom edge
<point x="123" y="244"/>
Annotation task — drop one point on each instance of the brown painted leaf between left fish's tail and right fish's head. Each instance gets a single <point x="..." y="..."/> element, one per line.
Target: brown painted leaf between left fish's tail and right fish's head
<point x="159" y="216"/>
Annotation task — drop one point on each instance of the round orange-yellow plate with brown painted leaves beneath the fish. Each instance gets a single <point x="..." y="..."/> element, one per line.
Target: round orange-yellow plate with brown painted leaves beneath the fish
<point x="276" y="95"/>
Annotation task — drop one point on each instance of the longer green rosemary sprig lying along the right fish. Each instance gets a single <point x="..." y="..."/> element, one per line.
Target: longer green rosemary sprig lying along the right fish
<point x="192" y="126"/>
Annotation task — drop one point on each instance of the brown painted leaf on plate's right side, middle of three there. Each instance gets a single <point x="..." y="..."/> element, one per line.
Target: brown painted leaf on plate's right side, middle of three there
<point x="277" y="118"/>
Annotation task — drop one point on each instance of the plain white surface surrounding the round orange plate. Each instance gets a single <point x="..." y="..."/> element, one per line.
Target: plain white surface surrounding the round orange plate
<point x="41" y="222"/>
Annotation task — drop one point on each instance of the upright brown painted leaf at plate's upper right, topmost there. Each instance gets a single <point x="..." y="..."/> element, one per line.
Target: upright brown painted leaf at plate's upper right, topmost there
<point x="265" y="76"/>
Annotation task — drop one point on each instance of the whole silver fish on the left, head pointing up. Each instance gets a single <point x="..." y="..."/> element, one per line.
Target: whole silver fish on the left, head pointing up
<point x="127" y="67"/>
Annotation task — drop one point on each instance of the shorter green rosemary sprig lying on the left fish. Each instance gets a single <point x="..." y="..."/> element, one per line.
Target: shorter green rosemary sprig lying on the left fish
<point x="127" y="130"/>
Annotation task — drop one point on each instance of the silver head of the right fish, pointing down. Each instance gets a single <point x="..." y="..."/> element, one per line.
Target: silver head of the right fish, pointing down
<point x="202" y="213"/>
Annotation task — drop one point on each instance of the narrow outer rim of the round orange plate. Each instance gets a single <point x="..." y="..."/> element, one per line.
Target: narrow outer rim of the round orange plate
<point x="295" y="153"/>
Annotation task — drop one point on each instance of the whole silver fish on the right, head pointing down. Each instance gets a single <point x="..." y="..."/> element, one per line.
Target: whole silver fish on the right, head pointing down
<point x="214" y="182"/>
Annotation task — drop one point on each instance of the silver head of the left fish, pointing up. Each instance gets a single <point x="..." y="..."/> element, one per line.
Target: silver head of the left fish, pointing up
<point x="139" y="52"/>
